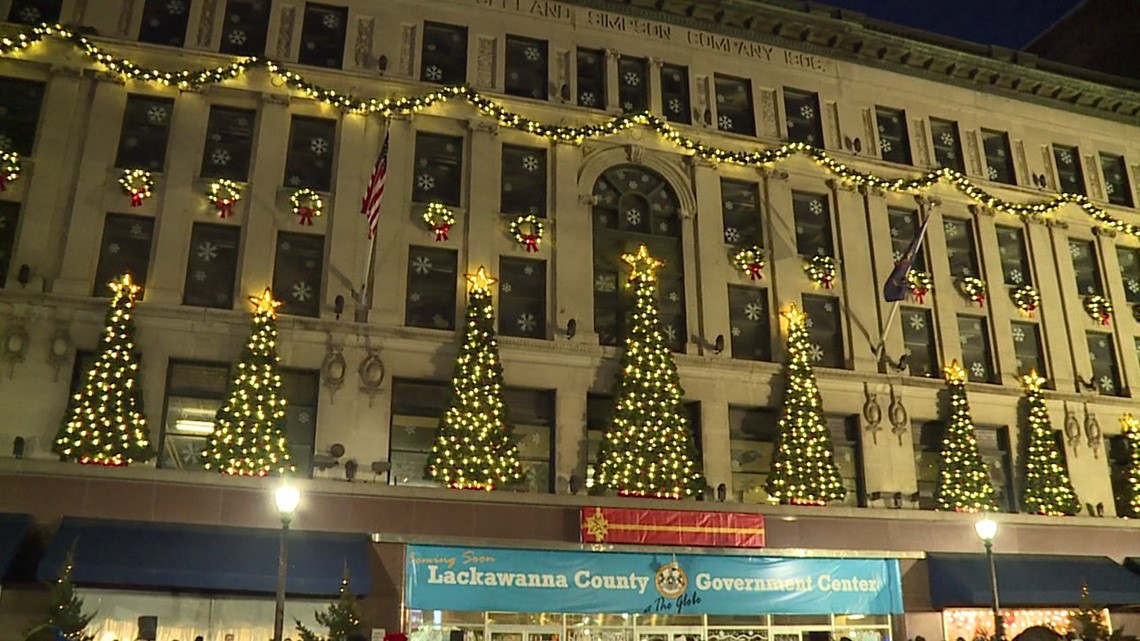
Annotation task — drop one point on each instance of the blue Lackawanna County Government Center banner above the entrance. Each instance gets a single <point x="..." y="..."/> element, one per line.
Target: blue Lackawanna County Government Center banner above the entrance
<point x="547" y="581"/>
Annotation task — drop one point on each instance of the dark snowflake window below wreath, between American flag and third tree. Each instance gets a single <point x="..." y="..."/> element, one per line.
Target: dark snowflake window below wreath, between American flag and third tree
<point x="433" y="277"/>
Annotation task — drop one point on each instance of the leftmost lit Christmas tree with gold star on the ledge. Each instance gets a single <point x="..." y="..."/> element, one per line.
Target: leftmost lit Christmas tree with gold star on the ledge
<point x="105" y="423"/>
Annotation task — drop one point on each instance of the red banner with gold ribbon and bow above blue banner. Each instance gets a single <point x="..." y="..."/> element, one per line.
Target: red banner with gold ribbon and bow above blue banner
<point x="672" y="528"/>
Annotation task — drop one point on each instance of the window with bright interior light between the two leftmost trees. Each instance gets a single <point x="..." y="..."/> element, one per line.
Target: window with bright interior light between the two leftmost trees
<point x="196" y="392"/>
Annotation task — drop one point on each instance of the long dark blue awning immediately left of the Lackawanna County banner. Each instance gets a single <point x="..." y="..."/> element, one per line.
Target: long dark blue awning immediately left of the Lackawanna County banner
<point x="207" y="558"/>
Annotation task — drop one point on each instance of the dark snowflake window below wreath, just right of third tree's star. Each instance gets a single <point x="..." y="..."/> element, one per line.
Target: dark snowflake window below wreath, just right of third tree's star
<point x="523" y="298"/>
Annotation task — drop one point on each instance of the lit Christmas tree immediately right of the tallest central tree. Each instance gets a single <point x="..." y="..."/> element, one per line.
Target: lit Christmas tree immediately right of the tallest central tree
<point x="804" y="468"/>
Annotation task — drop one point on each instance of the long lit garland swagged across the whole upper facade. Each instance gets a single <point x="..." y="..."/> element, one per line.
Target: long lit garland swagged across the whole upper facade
<point x="190" y="79"/>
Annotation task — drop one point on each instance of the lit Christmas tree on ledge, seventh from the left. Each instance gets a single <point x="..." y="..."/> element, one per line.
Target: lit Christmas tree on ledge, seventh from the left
<point x="1048" y="489"/>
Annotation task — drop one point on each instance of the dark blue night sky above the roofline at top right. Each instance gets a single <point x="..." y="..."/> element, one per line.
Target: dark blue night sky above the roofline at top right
<point x="1008" y="23"/>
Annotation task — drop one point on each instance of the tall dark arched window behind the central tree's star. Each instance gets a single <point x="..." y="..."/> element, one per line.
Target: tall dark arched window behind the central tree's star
<point x="637" y="206"/>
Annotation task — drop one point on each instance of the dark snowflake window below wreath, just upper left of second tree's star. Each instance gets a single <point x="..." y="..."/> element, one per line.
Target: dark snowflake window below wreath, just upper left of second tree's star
<point x="213" y="266"/>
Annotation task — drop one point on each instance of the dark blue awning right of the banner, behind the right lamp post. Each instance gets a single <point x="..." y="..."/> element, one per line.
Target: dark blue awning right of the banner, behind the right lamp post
<point x="1029" y="580"/>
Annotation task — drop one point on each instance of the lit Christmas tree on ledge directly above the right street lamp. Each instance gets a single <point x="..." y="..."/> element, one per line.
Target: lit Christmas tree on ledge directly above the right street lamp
<point x="964" y="483"/>
